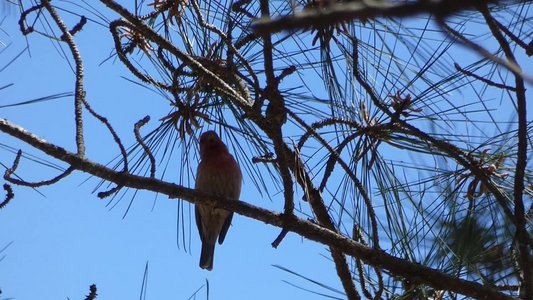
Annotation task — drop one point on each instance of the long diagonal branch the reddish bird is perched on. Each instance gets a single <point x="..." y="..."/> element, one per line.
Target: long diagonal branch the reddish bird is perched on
<point x="400" y="267"/>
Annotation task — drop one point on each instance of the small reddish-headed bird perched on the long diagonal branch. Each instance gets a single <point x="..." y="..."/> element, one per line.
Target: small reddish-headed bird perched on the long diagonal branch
<point x="218" y="174"/>
